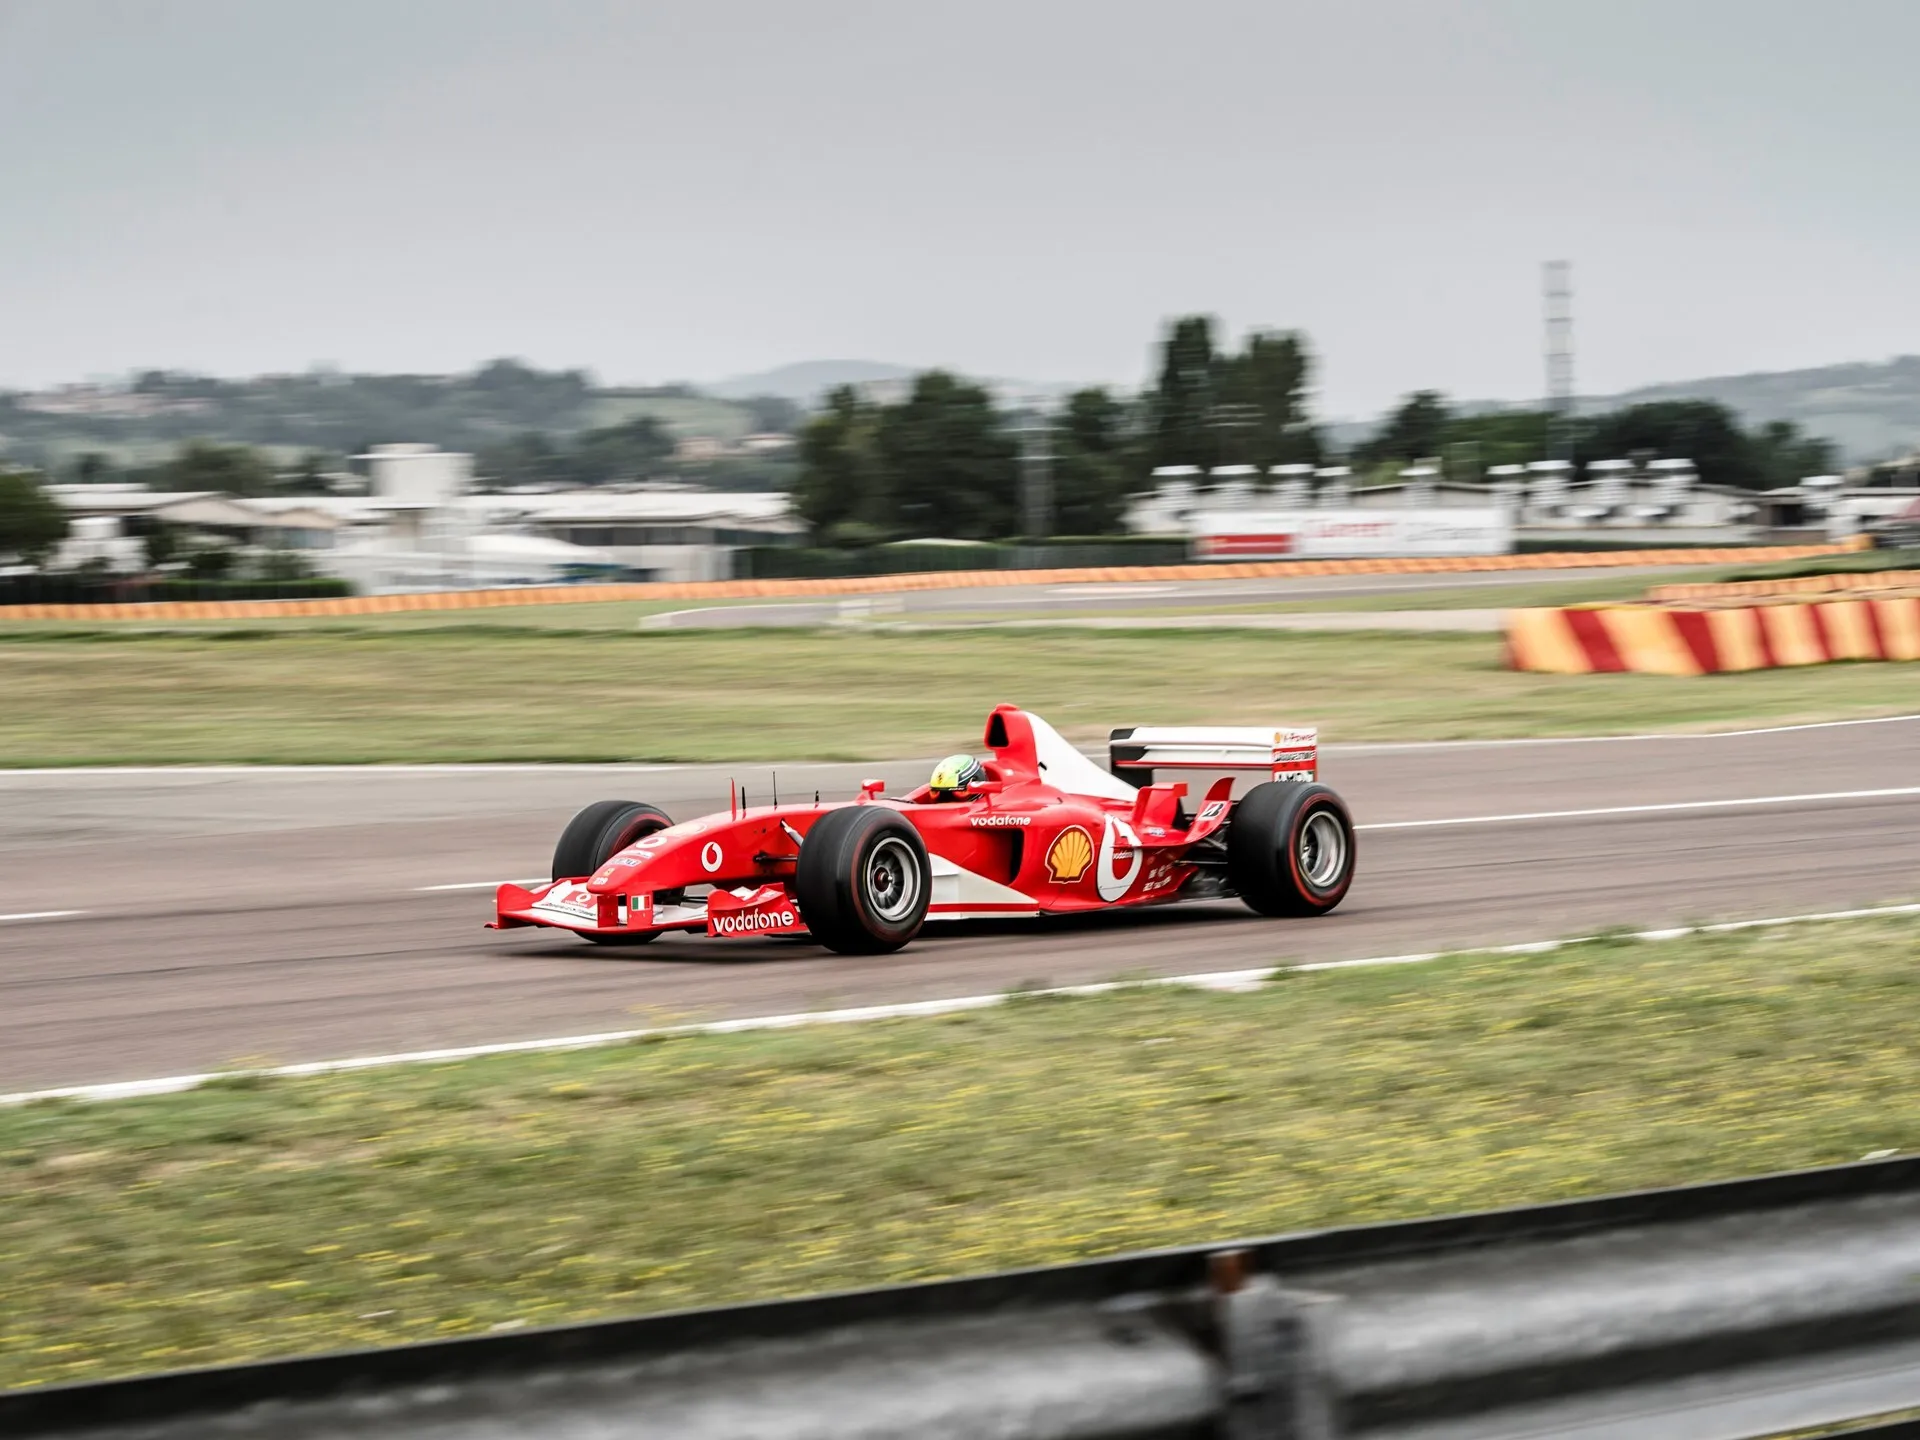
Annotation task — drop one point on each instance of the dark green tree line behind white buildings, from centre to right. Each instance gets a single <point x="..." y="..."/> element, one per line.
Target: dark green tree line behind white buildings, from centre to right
<point x="946" y="462"/>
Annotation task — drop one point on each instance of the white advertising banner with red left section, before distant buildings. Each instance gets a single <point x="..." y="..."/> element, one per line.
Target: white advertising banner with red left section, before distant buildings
<point x="1351" y="535"/>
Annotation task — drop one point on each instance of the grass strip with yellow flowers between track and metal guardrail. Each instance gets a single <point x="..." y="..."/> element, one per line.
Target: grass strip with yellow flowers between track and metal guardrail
<point x="416" y="1203"/>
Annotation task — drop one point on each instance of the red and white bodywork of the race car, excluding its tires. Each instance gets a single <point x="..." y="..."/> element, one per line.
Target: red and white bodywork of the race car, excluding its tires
<point x="1049" y="832"/>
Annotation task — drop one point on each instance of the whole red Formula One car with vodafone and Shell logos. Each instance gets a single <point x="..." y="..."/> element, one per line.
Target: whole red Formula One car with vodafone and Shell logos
<point x="1034" y="830"/>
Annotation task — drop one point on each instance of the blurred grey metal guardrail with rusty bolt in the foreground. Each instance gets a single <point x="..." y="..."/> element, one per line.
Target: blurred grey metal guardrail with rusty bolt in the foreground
<point x="1712" y="1312"/>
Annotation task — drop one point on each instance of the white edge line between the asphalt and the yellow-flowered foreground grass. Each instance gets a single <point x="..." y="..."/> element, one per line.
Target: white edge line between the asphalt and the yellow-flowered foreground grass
<point x="1222" y="980"/>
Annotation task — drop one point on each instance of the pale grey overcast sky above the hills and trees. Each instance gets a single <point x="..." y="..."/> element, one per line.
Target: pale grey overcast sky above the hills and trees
<point x="690" y="189"/>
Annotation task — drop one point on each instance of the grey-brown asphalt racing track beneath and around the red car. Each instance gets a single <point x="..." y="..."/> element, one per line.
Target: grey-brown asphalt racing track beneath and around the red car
<point x="252" y="917"/>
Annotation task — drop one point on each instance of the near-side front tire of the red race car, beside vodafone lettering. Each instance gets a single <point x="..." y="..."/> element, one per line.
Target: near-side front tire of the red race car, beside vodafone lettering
<point x="863" y="880"/>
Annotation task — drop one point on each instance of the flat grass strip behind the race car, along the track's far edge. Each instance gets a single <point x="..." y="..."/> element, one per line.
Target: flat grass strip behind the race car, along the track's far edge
<point x="502" y="694"/>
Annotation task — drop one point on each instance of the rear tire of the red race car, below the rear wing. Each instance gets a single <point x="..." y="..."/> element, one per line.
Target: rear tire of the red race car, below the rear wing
<point x="1291" y="850"/>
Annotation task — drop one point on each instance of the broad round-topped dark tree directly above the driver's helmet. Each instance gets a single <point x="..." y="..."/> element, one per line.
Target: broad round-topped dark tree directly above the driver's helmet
<point x="951" y="466"/>
